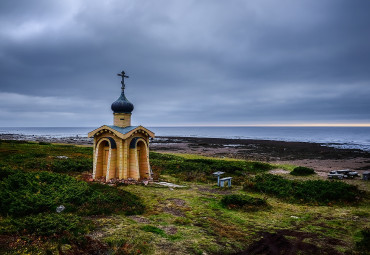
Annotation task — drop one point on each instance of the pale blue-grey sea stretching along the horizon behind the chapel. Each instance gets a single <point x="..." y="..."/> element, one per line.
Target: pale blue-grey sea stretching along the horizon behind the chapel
<point x="340" y="137"/>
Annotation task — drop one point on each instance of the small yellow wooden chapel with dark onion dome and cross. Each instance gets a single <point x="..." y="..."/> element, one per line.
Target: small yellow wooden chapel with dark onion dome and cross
<point x="120" y="150"/>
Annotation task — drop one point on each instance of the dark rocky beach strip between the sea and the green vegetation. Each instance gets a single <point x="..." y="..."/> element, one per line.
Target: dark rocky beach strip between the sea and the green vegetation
<point x="314" y="155"/>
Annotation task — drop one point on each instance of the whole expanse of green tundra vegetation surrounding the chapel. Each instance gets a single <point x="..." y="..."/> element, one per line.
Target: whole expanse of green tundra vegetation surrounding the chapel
<point x="261" y="211"/>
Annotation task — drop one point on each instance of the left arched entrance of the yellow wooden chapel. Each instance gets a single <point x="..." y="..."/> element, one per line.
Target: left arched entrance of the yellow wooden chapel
<point x="105" y="158"/>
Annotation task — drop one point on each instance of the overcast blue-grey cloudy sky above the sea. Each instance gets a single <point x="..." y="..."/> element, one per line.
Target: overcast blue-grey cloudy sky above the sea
<point x="191" y="63"/>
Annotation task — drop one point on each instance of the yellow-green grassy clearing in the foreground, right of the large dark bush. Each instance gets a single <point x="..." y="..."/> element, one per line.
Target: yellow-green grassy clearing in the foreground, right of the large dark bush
<point x="194" y="222"/>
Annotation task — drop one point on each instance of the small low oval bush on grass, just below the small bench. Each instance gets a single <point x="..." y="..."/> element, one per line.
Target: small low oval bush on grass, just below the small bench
<point x="243" y="202"/>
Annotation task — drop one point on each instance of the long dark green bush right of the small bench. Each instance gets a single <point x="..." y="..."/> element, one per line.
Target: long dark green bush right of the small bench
<point x="316" y="192"/>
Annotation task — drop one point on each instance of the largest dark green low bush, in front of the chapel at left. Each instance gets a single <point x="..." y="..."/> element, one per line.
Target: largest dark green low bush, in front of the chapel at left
<point x="25" y="193"/>
